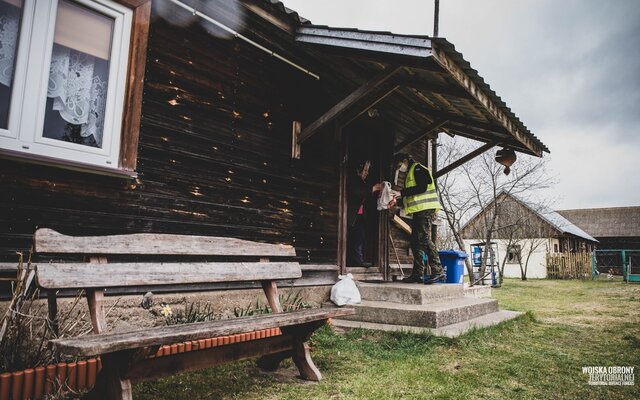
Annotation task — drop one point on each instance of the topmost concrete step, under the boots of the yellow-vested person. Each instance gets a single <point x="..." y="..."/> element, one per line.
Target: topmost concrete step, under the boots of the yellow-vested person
<point x="408" y="293"/>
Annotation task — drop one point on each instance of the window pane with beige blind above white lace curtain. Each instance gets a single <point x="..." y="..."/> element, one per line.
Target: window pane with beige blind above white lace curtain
<point x="78" y="75"/>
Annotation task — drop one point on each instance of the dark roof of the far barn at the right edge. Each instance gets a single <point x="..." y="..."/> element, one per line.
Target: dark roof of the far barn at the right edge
<point x="606" y="222"/>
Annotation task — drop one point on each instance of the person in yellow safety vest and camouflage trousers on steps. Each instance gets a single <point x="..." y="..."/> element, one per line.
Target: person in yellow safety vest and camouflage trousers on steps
<point x="420" y="200"/>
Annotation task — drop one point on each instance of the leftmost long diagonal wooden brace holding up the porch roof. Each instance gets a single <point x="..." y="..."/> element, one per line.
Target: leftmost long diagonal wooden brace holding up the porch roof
<point x="345" y="104"/>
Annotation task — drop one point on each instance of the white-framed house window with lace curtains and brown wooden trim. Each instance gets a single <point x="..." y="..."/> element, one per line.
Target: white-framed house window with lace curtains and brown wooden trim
<point x="63" y="79"/>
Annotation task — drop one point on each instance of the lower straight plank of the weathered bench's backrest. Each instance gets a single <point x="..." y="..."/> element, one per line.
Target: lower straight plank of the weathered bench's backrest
<point x="86" y="275"/>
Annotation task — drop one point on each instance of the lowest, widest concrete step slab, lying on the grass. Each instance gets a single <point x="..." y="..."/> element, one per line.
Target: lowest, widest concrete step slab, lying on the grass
<point x="452" y="330"/>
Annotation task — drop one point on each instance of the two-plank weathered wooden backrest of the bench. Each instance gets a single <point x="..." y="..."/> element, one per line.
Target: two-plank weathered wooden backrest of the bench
<point x="99" y="274"/>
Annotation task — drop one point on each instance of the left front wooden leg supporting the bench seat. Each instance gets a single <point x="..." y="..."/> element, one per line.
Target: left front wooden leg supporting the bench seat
<point x="109" y="384"/>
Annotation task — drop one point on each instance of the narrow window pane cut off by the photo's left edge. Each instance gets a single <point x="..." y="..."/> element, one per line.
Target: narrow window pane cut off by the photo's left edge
<point x="10" y="13"/>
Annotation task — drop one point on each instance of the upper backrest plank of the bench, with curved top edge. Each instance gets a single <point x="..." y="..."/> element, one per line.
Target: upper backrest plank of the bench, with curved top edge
<point x="49" y="241"/>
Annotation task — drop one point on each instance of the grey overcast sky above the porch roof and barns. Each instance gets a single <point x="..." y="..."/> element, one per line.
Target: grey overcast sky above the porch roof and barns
<point x="570" y="70"/>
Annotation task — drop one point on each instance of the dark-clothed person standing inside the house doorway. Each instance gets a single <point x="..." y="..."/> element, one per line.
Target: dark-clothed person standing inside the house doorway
<point x="359" y="195"/>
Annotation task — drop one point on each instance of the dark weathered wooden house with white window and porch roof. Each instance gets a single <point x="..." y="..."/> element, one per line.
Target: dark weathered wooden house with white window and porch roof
<point x="237" y="119"/>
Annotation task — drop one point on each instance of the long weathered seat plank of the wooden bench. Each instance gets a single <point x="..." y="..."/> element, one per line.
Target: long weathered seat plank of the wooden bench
<point x="92" y="345"/>
